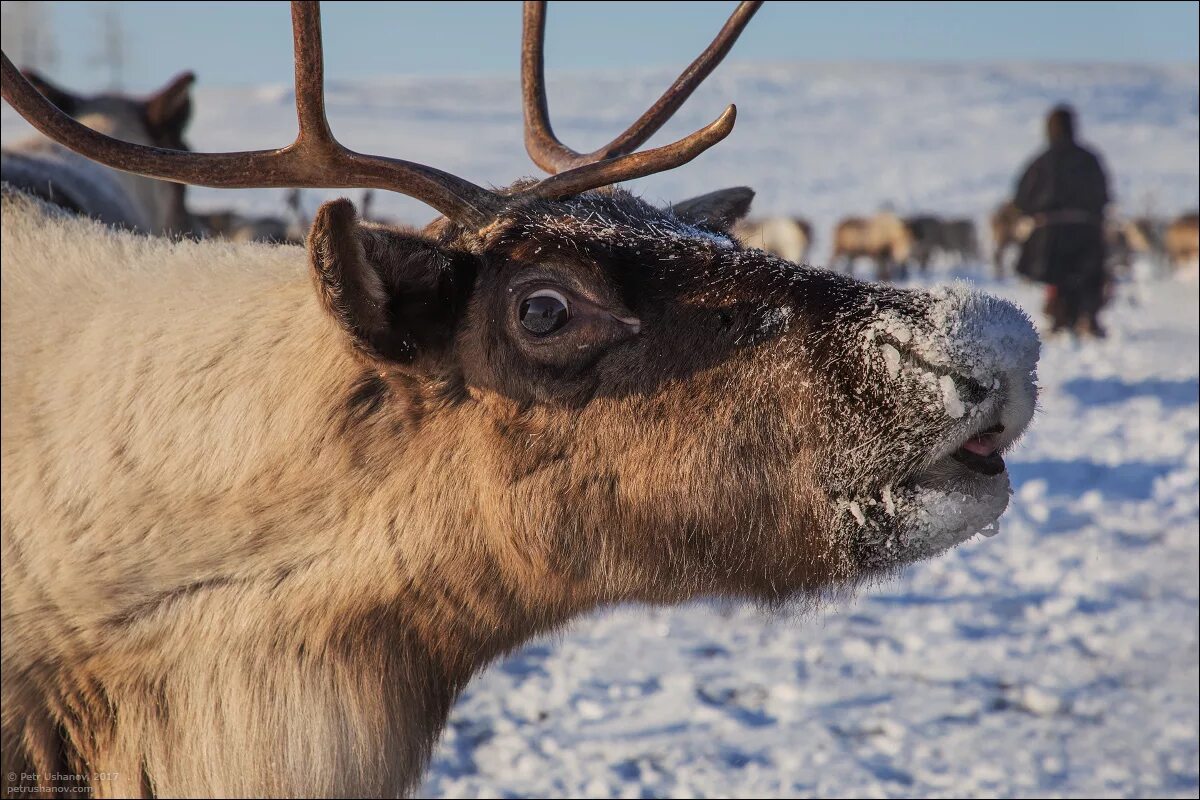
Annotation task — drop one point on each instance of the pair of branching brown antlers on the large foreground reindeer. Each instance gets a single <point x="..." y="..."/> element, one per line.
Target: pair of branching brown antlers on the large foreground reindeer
<point x="317" y="160"/>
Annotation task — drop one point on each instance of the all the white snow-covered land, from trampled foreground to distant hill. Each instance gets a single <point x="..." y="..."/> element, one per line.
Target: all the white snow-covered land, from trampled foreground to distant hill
<point x="1060" y="658"/>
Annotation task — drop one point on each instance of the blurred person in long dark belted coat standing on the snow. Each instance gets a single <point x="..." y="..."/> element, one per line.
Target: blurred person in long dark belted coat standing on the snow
<point x="1065" y="193"/>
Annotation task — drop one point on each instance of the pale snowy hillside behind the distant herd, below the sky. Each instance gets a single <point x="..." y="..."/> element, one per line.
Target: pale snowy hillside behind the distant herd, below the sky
<point x="820" y="141"/>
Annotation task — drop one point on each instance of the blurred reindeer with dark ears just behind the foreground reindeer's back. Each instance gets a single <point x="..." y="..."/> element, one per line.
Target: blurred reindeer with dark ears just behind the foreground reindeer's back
<point x="56" y="175"/>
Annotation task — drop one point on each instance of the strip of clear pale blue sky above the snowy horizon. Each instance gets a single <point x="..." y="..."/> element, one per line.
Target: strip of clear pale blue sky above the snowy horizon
<point x="231" y="44"/>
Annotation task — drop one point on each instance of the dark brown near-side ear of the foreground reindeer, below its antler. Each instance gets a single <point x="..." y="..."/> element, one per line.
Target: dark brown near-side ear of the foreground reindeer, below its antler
<point x="397" y="294"/>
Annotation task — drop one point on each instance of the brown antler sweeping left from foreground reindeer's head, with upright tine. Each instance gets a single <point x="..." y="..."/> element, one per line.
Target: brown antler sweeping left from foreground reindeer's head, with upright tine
<point x="315" y="160"/>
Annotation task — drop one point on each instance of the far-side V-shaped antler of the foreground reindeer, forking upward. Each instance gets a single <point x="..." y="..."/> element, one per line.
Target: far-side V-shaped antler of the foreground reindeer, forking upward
<point x="553" y="155"/>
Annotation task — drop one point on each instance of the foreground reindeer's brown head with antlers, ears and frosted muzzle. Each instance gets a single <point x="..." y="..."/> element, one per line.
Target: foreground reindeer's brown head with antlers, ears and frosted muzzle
<point x="638" y="404"/>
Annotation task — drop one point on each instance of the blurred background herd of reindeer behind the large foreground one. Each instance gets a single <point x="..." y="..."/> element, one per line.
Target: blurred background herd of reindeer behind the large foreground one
<point x="891" y="244"/>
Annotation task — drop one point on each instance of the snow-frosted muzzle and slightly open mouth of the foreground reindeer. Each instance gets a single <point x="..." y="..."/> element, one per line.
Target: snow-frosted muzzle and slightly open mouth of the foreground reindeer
<point x="965" y="382"/>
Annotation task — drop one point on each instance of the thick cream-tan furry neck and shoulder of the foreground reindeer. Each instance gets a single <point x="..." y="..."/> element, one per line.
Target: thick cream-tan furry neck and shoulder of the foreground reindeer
<point x="329" y="533"/>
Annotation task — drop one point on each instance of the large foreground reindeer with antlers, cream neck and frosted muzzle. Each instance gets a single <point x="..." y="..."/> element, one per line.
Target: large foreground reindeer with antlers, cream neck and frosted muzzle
<point x="268" y="512"/>
